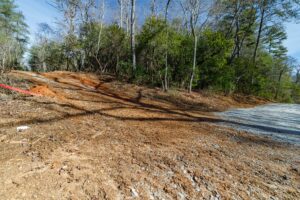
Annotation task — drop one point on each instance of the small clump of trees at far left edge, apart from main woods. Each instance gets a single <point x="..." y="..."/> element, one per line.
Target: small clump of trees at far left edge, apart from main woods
<point x="13" y="35"/>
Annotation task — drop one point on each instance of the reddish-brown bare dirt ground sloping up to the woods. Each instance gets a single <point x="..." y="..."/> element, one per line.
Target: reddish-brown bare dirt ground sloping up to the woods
<point x="95" y="138"/>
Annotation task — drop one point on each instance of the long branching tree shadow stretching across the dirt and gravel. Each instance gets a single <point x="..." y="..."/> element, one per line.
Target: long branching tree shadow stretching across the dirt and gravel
<point x="119" y="102"/>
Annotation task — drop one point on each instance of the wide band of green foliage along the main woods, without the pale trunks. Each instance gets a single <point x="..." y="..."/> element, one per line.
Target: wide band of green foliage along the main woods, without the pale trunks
<point x="235" y="53"/>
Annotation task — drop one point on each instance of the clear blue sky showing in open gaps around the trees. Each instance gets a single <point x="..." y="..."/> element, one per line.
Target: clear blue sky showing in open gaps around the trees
<point x="39" y="11"/>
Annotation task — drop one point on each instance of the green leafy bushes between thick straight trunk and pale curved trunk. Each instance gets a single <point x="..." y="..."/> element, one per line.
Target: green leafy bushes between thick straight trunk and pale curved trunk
<point x="156" y="41"/>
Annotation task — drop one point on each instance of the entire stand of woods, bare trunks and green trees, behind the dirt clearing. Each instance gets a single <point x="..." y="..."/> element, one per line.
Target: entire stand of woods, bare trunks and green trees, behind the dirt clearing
<point x="226" y="46"/>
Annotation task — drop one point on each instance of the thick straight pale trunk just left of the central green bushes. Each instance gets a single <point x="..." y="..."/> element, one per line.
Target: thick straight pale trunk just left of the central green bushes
<point x="132" y="36"/>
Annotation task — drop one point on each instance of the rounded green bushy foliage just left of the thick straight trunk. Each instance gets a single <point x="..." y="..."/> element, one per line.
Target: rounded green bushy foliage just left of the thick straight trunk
<point x="106" y="47"/>
